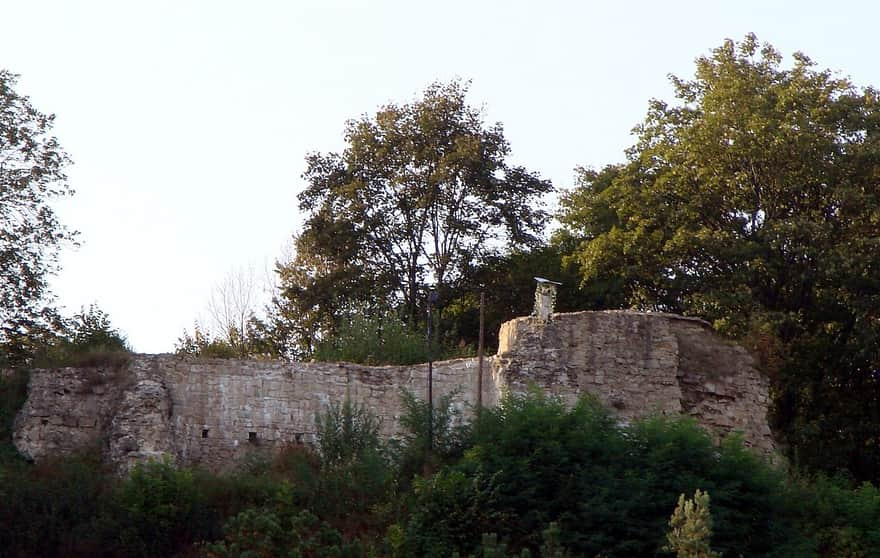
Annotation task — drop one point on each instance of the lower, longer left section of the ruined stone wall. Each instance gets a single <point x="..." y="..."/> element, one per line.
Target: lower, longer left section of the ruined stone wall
<point x="213" y="412"/>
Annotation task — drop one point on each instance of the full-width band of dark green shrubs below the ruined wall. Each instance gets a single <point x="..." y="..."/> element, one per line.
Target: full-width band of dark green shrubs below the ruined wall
<point x="530" y="478"/>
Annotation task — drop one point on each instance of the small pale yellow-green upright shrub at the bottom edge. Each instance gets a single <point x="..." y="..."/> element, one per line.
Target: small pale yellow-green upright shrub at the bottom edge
<point x="690" y="528"/>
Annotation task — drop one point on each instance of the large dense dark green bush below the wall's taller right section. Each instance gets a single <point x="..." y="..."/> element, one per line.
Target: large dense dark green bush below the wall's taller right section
<point x="608" y="487"/>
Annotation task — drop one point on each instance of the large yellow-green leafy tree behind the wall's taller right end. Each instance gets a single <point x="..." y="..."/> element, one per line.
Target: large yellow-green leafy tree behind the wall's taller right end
<point x="753" y="203"/>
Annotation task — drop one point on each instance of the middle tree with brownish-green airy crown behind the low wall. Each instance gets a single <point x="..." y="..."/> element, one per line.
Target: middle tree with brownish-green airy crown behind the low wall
<point x="421" y="192"/>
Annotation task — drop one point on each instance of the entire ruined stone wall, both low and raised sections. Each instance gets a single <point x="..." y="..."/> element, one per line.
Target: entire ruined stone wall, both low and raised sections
<point x="213" y="413"/>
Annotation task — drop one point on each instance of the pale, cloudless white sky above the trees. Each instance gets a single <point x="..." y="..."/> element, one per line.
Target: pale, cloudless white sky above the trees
<point x="188" y="122"/>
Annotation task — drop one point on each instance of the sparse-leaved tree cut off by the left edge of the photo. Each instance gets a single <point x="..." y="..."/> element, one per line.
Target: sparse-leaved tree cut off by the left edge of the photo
<point x="31" y="176"/>
